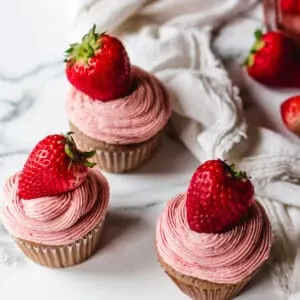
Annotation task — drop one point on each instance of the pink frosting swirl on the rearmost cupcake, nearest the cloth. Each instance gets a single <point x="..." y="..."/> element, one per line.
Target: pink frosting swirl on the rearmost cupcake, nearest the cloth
<point x="132" y="119"/>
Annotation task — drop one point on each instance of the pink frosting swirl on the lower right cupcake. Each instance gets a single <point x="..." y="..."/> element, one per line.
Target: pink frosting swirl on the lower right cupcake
<point x="228" y="258"/>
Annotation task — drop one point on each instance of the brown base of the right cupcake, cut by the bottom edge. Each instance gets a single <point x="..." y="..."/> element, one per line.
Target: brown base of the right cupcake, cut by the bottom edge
<point x="204" y="290"/>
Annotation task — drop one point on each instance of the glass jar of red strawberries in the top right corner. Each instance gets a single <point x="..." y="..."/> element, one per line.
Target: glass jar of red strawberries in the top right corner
<point x="283" y="15"/>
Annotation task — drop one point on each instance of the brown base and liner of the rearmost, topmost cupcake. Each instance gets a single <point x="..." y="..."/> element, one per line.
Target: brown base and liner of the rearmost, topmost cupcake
<point x="117" y="158"/>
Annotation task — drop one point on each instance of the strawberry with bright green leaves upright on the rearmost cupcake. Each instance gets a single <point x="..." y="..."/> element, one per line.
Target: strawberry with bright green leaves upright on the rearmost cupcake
<point x="99" y="66"/>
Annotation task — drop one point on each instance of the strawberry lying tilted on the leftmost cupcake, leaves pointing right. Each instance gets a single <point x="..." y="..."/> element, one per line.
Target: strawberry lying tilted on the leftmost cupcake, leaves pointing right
<point x="53" y="167"/>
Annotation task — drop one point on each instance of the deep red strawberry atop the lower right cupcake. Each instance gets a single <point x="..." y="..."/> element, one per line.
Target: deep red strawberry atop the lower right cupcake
<point x="218" y="197"/>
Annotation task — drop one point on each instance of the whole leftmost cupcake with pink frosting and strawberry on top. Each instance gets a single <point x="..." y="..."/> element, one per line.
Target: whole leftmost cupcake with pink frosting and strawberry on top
<point x="56" y="206"/>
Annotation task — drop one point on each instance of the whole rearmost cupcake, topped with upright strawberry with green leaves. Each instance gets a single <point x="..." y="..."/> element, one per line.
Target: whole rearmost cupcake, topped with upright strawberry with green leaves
<point x="118" y="110"/>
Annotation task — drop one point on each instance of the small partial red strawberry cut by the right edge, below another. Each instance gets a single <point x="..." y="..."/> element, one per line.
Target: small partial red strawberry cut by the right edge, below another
<point x="290" y="113"/>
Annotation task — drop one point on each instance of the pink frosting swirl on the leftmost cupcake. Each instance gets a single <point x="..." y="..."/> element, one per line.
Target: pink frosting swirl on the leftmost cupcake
<point x="56" y="220"/>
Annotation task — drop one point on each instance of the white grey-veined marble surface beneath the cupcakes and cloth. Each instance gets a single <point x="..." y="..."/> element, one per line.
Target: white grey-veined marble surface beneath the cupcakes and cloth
<point x="34" y="35"/>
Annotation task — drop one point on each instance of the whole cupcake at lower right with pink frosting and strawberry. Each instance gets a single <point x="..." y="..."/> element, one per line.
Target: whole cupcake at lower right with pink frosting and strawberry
<point x="213" y="239"/>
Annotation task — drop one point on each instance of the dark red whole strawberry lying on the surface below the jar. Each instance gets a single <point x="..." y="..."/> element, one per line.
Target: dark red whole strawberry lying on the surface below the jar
<point x="273" y="60"/>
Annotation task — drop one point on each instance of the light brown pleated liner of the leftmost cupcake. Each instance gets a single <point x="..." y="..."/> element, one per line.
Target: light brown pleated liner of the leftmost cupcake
<point x="62" y="256"/>
